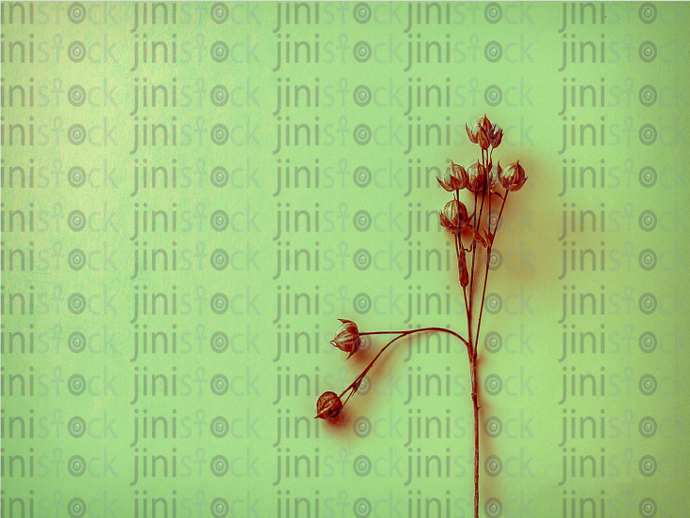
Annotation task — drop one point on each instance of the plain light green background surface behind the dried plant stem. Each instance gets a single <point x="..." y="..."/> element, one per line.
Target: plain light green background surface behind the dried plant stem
<point x="525" y="351"/>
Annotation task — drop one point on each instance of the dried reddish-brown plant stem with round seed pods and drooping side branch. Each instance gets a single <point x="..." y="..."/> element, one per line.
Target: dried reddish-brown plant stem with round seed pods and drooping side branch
<point x="483" y="180"/>
